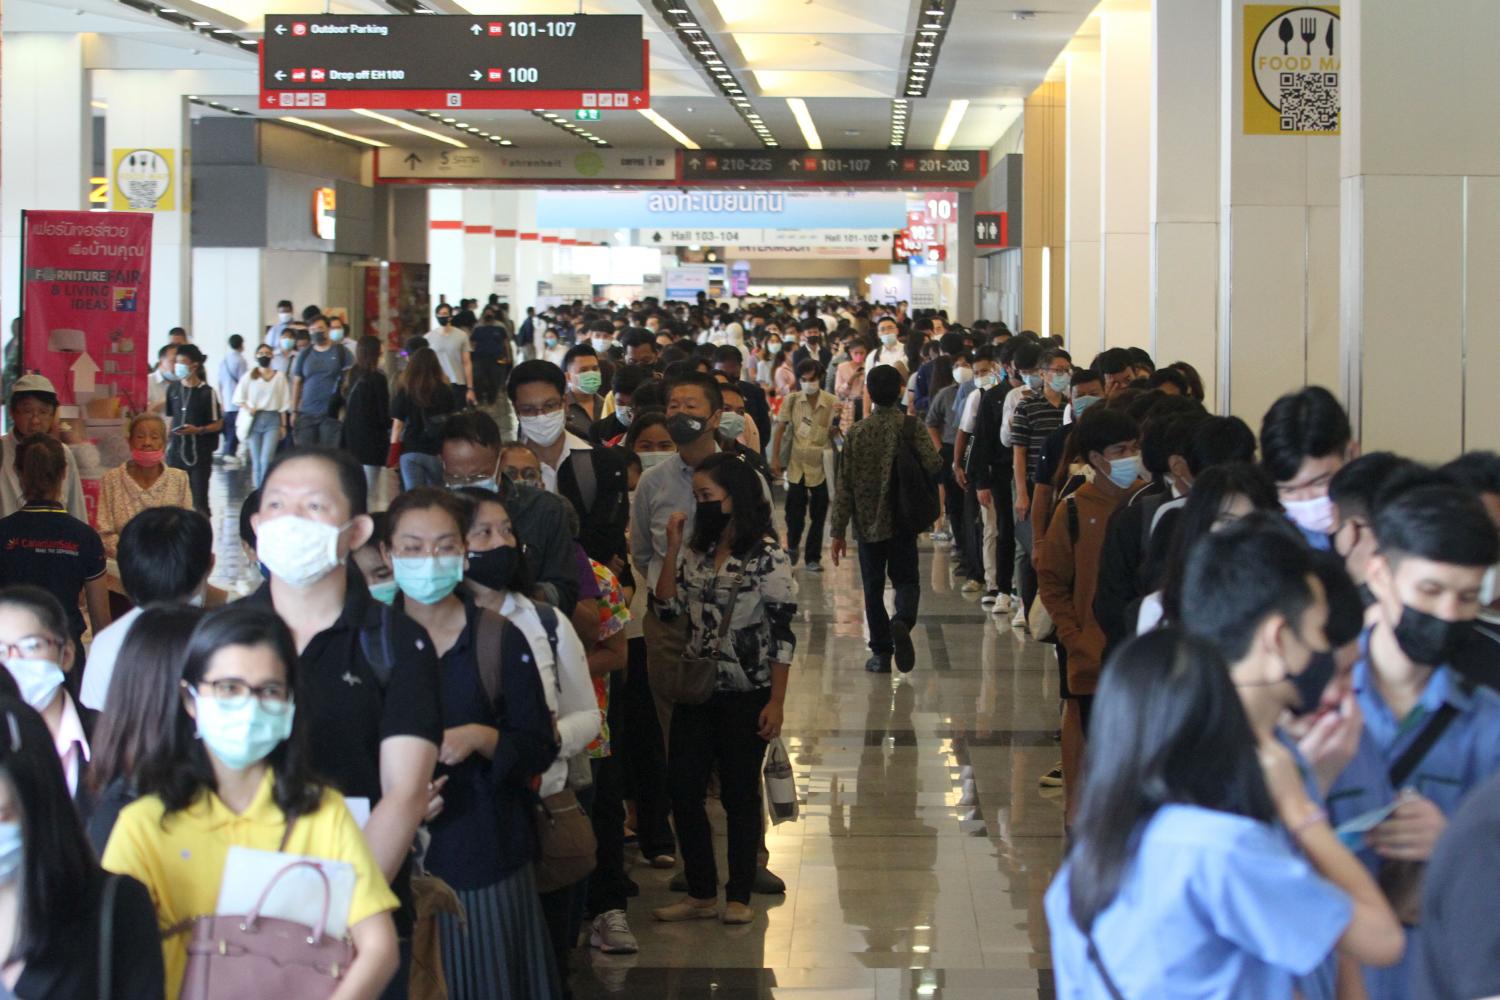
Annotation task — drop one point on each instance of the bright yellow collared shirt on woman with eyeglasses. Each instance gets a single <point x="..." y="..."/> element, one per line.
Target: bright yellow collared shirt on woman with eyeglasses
<point x="181" y="860"/>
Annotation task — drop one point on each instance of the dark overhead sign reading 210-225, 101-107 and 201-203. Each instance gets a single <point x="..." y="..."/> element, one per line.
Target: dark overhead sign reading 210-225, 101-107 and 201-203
<point x="962" y="169"/>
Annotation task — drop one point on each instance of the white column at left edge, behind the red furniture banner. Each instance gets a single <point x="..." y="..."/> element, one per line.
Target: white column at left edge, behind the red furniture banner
<point x="46" y="142"/>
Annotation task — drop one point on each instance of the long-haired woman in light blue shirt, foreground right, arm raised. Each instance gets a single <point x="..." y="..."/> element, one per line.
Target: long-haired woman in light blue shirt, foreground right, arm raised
<point x="1180" y="881"/>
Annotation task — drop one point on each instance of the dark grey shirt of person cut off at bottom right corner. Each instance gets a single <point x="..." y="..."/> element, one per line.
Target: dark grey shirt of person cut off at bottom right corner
<point x="1459" y="947"/>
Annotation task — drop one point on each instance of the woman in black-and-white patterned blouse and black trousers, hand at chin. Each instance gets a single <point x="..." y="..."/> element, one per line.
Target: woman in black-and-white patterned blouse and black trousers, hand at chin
<point x="733" y="566"/>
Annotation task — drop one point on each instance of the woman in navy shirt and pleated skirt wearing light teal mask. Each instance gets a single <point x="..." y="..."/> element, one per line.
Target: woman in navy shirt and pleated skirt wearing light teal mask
<point x="497" y="740"/>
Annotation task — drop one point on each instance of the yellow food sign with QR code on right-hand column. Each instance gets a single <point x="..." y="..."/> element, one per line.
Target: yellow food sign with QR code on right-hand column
<point x="1292" y="59"/>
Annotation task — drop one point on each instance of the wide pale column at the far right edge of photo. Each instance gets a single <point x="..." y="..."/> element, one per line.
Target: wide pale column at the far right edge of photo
<point x="1421" y="251"/>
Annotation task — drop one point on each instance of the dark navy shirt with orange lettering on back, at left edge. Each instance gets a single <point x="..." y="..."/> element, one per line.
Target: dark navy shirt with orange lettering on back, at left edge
<point x="46" y="546"/>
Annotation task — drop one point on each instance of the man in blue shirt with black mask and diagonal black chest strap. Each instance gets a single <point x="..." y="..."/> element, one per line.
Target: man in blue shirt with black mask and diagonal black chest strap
<point x="1430" y="737"/>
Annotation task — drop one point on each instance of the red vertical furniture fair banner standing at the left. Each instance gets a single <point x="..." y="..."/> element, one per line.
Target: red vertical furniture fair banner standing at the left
<point x="86" y="286"/>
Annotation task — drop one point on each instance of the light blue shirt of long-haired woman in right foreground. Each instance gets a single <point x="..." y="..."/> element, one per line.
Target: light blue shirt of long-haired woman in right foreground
<point x="1213" y="906"/>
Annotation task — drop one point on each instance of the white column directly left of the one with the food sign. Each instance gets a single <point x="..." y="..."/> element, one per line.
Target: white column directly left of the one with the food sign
<point x="1184" y="187"/>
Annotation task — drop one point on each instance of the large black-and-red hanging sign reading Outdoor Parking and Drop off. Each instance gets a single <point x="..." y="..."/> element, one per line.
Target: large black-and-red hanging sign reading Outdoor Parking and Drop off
<point x="331" y="61"/>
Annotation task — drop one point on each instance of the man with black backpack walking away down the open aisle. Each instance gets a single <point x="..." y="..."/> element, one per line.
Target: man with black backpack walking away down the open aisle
<point x="889" y="487"/>
